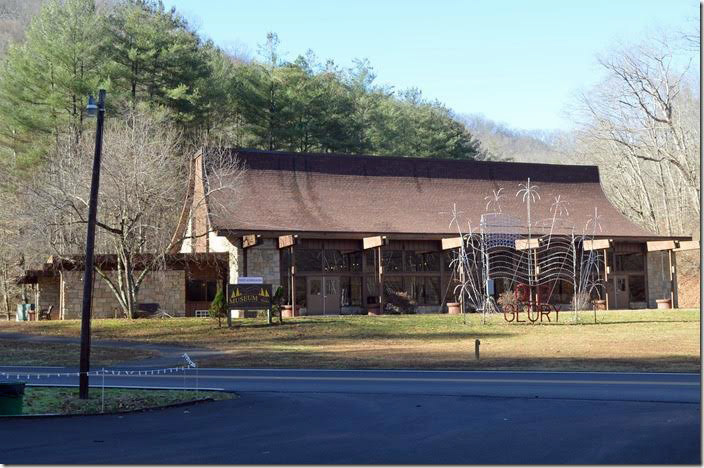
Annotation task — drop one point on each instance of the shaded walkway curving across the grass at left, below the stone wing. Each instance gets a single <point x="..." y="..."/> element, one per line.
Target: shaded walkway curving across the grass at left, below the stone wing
<point x="167" y="355"/>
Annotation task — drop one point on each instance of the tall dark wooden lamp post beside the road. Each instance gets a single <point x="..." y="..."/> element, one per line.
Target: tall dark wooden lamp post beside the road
<point x="92" y="110"/>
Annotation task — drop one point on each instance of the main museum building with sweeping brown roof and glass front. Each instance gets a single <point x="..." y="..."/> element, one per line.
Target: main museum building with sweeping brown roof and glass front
<point x="343" y="234"/>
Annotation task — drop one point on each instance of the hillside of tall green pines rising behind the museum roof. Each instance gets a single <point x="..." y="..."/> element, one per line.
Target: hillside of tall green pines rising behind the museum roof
<point x="143" y="54"/>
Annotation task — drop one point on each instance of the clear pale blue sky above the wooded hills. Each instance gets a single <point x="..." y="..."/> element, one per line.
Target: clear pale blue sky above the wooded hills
<point x="515" y="62"/>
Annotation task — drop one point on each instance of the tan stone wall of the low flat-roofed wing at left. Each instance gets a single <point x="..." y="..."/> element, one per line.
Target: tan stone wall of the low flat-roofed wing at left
<point x="167" y="288"/>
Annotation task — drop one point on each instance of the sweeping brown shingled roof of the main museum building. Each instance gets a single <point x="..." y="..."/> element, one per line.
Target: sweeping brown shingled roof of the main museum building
<point x="331" y="193"/>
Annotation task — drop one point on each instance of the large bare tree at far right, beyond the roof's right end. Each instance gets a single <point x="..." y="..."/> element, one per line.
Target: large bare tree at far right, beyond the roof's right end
<point x="641" y="125"/>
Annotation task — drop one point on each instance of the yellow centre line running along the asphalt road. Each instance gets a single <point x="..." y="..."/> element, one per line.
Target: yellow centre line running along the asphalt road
<point x="411" y="379"/>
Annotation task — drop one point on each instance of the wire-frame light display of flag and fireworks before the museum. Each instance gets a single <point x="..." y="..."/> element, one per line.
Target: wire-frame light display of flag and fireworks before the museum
<point x="528" y="256"/>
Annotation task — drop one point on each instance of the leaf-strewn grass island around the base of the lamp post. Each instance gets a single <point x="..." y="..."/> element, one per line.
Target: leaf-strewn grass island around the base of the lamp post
<point x="64" y="400"/>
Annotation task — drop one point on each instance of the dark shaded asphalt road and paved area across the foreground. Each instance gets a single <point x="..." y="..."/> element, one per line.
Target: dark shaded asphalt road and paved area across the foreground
<point x="321" y="416"/>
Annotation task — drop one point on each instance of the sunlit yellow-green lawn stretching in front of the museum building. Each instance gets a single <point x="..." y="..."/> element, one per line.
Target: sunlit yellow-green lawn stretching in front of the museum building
<point x="633" y="340"/>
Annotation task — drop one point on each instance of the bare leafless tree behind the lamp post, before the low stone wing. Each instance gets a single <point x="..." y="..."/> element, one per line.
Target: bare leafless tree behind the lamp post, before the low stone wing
<point x="144" y="179"/>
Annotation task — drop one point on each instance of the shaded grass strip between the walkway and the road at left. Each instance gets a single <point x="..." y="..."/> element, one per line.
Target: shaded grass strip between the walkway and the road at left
<point x="18" y="353"/>
